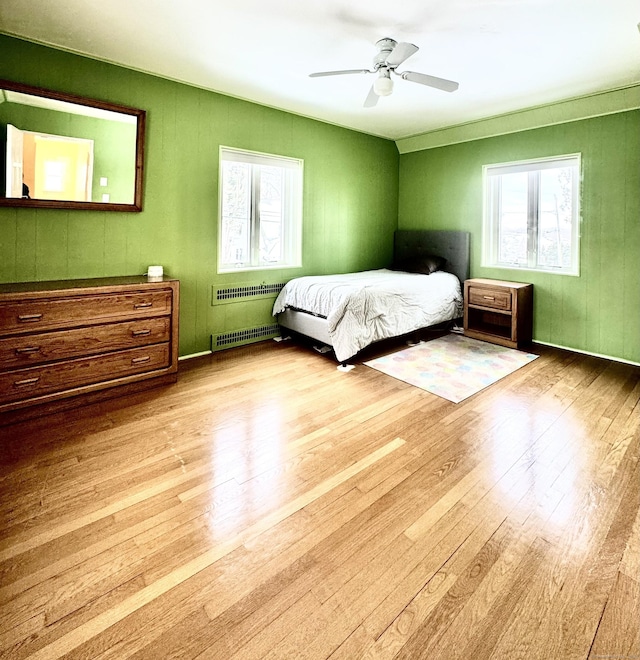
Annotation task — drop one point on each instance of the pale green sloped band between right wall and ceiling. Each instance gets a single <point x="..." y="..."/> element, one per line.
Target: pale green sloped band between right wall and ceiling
<point x="561" y="112"/>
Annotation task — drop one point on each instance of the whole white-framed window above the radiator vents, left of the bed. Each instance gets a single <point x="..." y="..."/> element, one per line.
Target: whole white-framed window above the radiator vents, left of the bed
<point x="260" y="211"/>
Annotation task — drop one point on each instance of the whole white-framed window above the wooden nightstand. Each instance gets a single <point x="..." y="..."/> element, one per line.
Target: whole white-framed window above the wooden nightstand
<point x="531" y="215"/>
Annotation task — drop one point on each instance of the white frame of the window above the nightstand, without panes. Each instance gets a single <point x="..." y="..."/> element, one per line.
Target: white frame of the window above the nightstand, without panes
<point x="491" y="212"/>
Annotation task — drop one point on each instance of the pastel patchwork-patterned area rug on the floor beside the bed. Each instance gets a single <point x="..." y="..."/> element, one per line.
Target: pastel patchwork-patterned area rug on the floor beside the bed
<point x="453" y="367"/>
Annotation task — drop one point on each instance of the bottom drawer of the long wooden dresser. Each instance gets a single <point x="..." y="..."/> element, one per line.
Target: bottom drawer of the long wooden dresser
<point x="35" y="381"/>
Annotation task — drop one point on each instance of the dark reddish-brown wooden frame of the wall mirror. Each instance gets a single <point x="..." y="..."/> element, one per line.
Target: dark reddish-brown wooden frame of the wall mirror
<point x="140" y="116"/>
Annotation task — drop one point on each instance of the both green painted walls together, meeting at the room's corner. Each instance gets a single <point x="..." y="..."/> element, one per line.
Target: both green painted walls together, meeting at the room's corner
<point x="357" y="190"/>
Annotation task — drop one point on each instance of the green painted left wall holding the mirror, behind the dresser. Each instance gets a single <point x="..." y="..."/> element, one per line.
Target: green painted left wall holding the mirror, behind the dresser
<point x="350" y="192"/>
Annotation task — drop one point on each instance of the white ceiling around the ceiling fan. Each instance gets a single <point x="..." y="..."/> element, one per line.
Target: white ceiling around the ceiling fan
<point x="506" y="54"/>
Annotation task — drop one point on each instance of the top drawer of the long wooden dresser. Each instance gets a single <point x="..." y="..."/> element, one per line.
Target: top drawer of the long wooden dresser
<point x="48" y="314"/>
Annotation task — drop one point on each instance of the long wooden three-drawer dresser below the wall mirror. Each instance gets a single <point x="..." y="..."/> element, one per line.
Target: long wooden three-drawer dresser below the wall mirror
<point x="61" y="339"/>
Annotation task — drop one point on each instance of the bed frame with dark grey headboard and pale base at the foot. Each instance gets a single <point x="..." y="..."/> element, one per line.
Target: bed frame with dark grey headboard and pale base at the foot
<point x="452" y="245"/>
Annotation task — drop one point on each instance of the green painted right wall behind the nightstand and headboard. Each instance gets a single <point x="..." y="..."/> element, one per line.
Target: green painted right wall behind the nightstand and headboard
<point x="598" y="312"/>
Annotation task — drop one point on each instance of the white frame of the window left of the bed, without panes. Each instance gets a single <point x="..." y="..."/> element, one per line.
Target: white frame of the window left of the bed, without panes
<point x="292" y="240"/>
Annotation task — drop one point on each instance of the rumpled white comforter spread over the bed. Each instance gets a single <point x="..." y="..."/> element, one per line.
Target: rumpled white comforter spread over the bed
<point x="365" y="307"/>
